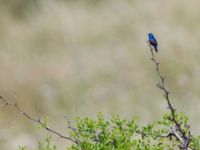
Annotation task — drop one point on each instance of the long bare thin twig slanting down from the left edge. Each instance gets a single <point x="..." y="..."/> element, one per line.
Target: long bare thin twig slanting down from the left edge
<point x="37" y="121"/>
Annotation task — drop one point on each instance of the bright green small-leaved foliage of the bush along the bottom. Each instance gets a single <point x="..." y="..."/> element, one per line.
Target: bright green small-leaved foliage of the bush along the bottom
<point x="121" y="134"/>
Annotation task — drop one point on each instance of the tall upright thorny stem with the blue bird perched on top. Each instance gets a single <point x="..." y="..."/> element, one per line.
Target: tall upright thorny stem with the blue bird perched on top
<point x="178" y="132"/>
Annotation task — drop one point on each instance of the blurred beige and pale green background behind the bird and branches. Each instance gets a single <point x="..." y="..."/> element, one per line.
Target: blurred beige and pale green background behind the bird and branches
<point x="79" y="57"/>
